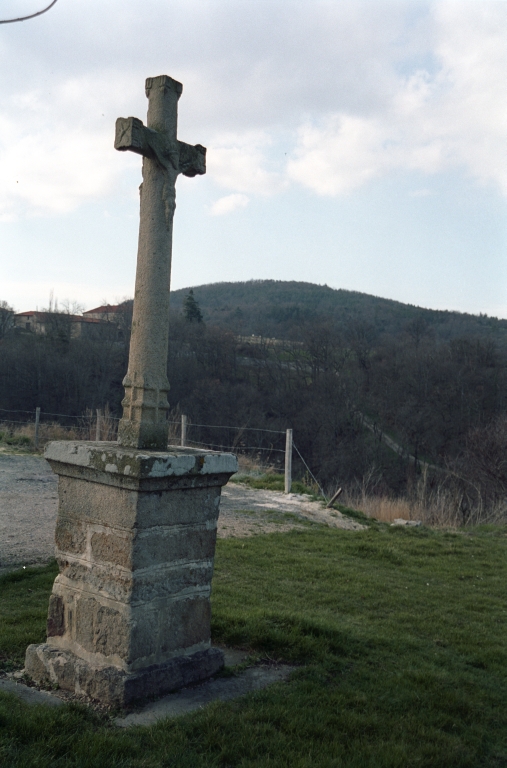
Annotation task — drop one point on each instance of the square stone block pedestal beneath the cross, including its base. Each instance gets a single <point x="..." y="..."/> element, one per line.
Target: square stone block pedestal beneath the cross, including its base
<point x="129" y="614"/>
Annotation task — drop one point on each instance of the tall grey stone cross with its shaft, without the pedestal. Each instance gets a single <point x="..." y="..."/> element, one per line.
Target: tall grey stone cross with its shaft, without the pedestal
<point x="144" y="423"/>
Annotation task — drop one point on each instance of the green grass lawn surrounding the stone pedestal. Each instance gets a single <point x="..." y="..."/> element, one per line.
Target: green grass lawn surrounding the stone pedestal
<point x="400" y="638"/>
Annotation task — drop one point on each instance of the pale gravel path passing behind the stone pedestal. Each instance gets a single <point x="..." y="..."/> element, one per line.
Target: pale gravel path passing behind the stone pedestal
<point x="28" y="506"/>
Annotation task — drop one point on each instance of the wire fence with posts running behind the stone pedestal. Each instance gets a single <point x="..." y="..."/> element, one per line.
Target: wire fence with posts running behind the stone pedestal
<point x="258" y="448"/>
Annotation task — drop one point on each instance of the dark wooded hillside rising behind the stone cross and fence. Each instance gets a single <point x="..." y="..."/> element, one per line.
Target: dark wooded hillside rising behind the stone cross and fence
<point x="346" y="372"/>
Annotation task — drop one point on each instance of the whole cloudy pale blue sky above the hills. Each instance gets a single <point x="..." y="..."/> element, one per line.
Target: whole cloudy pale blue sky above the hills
<point x="357" y="144"/>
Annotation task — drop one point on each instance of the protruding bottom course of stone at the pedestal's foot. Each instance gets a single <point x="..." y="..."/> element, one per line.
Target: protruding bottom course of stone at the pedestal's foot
<point x="111" y="685"/>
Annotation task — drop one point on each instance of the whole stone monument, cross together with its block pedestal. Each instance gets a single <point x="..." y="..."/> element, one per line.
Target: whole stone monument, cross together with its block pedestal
<point x="130" y="613"/>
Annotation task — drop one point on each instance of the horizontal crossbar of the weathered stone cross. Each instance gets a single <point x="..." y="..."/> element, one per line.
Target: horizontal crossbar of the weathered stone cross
<point x="132" y="135"/>
